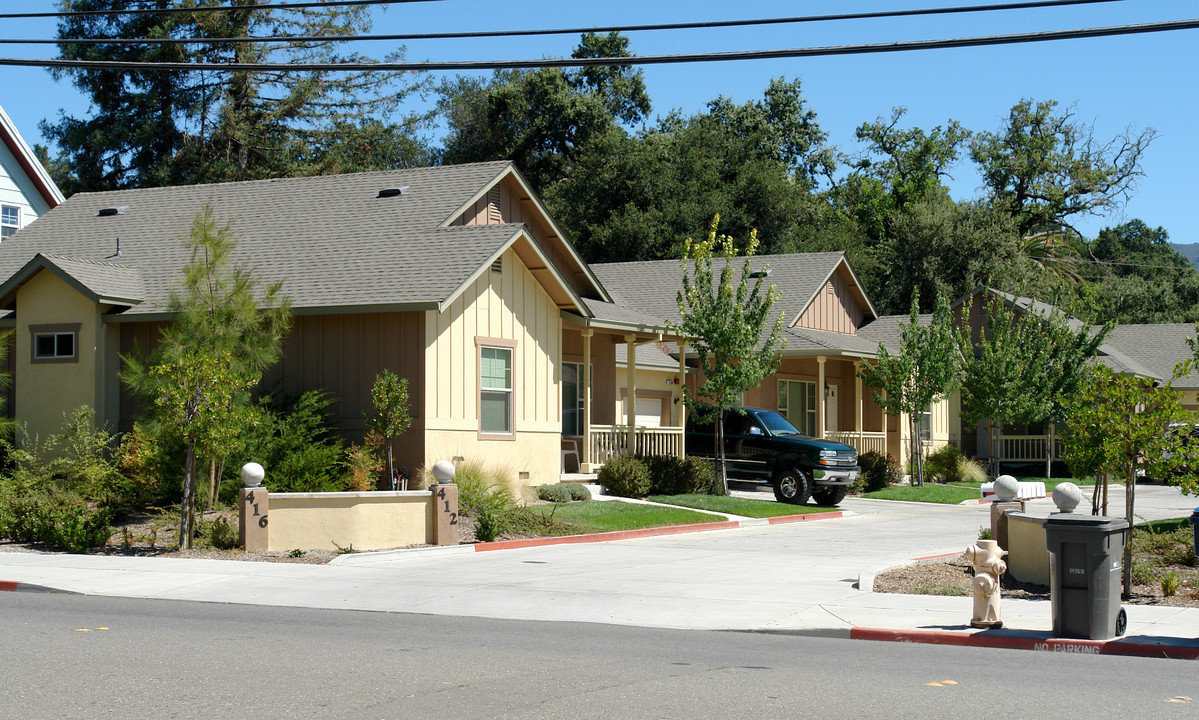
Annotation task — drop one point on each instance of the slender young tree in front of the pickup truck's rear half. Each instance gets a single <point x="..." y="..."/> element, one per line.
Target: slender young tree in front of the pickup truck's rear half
<point x="727" y="322"/>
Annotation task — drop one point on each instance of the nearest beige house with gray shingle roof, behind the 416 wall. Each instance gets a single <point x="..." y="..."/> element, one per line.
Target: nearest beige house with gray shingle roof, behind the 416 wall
<point x="453" y="277"/>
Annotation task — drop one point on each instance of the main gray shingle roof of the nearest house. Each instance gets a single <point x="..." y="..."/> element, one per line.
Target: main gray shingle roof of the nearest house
<point x="330" y="239"/>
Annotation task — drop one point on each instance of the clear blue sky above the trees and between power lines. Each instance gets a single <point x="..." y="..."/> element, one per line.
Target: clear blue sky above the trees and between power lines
<point x="1147" y="81"/>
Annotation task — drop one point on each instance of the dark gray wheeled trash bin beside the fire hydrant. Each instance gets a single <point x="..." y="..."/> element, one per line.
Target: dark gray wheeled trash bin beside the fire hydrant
<point x="1086" y="573"/>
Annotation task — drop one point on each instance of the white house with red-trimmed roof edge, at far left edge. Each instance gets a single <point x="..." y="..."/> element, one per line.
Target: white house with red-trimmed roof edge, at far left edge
<point x="27" y="191"/>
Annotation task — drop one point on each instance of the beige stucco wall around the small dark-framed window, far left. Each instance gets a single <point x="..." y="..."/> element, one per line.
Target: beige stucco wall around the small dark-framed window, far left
<point x="47" y="391"/>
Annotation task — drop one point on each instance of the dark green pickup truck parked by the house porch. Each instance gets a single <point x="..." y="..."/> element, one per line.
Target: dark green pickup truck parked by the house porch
<point x="762" y="446"/>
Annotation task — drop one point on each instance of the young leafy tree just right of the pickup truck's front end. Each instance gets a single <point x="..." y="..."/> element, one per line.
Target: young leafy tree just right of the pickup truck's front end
<point x="923" y="373"/>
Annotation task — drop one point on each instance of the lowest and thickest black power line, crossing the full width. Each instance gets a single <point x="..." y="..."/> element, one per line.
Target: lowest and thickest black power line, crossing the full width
<point x="481" y="65"/>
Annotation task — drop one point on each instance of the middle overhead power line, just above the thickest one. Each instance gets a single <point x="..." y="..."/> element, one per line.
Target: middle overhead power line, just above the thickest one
<point x="481" y="34"/>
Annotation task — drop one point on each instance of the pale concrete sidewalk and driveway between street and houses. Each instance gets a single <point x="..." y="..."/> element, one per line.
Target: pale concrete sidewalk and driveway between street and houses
<point x="793" y="578"/>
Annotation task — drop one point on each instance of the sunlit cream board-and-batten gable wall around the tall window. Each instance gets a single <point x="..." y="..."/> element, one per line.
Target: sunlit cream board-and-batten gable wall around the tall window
<point x="503" y="310"/>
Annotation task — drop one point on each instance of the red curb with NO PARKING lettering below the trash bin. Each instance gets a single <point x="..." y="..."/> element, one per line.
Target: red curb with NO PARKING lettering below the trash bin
<point x="1031" y="643"/>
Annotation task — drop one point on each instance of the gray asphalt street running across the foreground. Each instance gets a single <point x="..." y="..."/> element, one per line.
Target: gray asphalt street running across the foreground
<point x="89" y="657"/>
